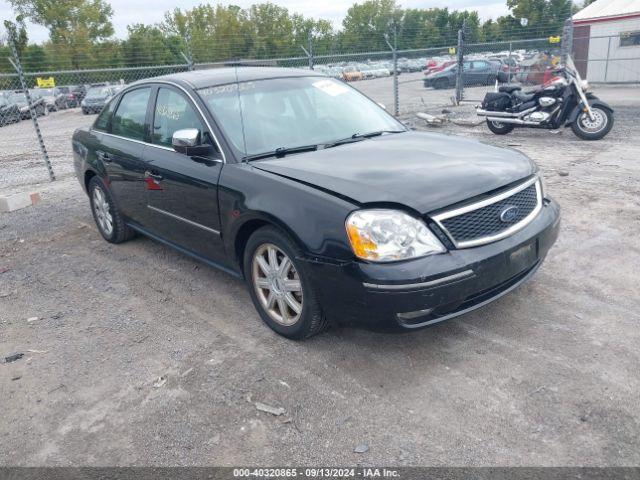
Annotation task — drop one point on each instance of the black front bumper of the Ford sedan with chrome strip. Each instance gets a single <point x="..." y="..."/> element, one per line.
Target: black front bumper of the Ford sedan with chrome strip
<point x="416" y="293"/>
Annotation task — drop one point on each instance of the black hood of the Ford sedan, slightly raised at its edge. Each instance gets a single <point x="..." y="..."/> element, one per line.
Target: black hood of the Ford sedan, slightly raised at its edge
<point x="424" y="171"/>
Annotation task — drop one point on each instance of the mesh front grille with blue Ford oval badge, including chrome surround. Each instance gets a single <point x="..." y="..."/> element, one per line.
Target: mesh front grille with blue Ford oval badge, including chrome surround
<point x="491" y="220"/>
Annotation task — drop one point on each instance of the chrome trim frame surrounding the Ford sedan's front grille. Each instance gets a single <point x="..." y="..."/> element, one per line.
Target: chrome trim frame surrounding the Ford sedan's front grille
<point x="439" y="218"/>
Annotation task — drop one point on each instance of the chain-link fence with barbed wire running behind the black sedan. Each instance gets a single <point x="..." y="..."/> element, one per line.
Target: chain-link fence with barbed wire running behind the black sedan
<point x="405" y="81"/>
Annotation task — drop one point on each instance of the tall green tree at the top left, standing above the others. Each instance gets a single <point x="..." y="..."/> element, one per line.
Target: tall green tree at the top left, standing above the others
<point x="74" y="25"/>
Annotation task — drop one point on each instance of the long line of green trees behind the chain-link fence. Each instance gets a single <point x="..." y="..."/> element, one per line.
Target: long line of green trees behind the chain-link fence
<point x="81" y="32"/>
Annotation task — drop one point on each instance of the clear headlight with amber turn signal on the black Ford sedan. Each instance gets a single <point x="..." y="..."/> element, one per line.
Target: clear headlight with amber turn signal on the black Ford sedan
<point x="389" y="235"/>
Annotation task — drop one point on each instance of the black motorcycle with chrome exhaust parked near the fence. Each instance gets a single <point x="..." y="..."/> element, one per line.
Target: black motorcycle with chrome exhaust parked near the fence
<point x="563" y="101"/>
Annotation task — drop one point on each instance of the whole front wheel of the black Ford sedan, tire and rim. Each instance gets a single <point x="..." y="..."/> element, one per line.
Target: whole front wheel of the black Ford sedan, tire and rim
<point x="310" y="319"/>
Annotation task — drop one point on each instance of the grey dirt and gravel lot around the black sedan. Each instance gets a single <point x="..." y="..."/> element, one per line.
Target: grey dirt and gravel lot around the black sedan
<point x="137" y="355"/>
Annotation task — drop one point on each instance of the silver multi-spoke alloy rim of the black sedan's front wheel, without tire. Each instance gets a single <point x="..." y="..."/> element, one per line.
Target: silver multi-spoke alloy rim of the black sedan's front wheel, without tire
<point x="277" y="284"/>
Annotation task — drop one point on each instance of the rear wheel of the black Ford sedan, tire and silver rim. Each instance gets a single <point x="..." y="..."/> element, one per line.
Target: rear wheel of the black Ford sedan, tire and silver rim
<point x="120" y="231"/>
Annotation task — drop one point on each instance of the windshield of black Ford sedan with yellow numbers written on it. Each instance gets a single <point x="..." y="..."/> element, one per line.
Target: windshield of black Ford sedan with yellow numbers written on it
<point x="284" y="113"/>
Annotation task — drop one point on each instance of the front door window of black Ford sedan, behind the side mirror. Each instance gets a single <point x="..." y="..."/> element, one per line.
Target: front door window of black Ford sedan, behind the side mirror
<point x="173" y="112"/>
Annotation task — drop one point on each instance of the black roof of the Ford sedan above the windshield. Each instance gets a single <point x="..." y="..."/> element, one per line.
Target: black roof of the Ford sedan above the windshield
<point x="221" y="76"/>
